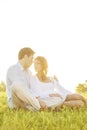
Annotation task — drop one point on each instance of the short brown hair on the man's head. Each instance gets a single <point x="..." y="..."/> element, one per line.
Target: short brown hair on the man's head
<point x="25" y="51"/>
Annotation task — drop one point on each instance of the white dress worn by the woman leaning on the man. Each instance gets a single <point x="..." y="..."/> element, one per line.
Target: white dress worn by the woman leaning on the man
<point x="42" y="90"/>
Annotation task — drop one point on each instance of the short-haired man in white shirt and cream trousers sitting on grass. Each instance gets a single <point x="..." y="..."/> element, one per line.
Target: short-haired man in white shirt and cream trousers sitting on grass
<point x="18" y="82"/>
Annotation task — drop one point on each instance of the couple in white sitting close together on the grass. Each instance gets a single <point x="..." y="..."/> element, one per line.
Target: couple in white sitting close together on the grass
<point x="34" y="92"/>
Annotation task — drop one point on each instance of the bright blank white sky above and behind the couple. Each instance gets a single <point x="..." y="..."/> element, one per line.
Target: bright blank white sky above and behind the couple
<point x="56" y="29"/>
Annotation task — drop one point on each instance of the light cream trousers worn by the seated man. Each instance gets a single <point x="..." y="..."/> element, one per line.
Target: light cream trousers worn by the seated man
<point x="22" y="97"/>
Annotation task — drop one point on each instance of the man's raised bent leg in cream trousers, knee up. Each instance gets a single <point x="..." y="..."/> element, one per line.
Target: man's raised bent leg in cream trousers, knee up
<point x="25" y="96"/>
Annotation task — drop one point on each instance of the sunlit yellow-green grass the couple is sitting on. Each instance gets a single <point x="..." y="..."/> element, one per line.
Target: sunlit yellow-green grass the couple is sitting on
<point x="66" y="119"/>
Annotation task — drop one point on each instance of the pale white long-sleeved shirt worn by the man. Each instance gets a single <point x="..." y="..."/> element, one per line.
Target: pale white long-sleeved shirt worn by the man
<point x="15" y="74"/>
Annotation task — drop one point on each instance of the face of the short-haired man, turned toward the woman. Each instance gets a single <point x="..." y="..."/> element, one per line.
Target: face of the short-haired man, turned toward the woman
<point x="27" y="61"/>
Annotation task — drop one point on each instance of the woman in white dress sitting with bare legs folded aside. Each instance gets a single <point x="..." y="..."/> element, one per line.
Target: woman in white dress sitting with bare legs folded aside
<point x="48" y="90"/>
